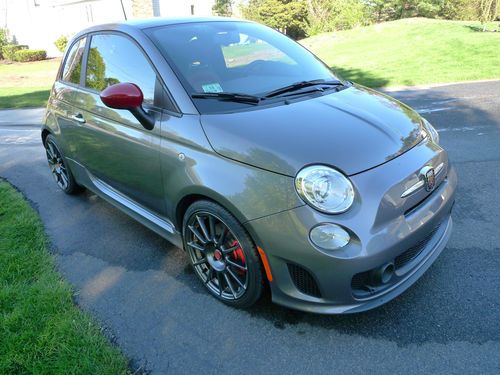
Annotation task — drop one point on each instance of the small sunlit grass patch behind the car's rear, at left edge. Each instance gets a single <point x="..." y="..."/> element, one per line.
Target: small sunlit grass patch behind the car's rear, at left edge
<point x="26" y="84"/>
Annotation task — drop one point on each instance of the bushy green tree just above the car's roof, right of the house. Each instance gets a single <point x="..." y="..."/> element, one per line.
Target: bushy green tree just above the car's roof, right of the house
<point x="287" y="16"/>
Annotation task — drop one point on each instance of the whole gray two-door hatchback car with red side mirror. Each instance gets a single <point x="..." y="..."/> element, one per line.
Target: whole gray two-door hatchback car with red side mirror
<point x="239" y="145"/>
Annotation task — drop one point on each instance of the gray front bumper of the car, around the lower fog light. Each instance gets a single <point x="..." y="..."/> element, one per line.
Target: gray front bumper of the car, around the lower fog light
<point x="383" y="227"/>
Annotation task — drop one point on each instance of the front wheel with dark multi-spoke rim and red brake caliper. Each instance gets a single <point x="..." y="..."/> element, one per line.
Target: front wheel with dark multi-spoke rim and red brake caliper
<point x="222" y="254"/>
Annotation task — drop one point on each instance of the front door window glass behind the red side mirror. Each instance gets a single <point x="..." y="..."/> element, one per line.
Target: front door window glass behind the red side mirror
<point x="114" y="59"/>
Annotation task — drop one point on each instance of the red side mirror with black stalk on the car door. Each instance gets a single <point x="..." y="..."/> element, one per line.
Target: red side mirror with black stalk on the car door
<point x="128" y="96"/>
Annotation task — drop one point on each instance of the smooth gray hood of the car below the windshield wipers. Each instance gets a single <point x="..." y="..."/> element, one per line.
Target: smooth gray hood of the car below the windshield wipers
<point x="352" y="130"/>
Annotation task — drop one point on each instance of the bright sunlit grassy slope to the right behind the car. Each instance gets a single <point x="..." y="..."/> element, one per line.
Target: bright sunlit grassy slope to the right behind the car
<point x="410" y="52"/>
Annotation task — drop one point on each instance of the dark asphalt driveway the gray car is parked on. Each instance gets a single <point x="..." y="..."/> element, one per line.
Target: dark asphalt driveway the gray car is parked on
<point x="142" y="290"/>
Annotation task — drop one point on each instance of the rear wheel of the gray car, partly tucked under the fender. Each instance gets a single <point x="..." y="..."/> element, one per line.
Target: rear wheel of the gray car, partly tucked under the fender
<point x="59" y="168"/>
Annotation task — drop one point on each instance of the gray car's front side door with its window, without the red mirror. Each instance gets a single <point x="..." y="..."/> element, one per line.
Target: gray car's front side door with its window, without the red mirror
<point x="111" y="144"/>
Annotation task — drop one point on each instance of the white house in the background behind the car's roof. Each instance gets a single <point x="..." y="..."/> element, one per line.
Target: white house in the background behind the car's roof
<point x="38" y="23"/>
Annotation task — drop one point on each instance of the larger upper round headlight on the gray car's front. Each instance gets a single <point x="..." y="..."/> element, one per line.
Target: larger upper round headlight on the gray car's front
<point x="325" y="189"/>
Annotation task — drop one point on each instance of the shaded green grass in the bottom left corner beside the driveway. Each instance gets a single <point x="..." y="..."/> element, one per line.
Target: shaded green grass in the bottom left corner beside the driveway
<point x="41" y="330"/>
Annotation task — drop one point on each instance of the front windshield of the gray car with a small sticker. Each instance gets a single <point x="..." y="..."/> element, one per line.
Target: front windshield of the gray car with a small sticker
<point x="234" y="57"/>
